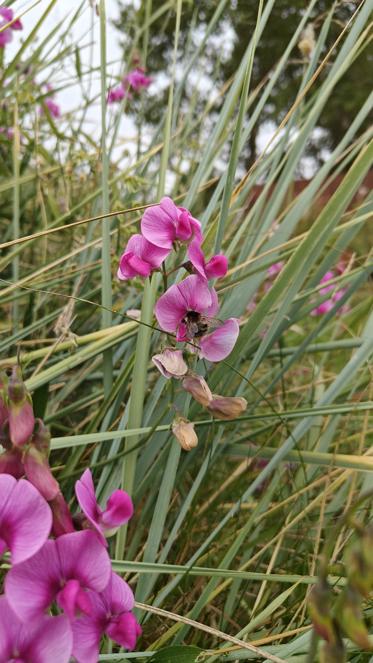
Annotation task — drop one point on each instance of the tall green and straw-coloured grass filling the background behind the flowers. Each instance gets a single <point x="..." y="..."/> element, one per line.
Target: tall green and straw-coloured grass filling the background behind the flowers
<point x="223" y="547"/>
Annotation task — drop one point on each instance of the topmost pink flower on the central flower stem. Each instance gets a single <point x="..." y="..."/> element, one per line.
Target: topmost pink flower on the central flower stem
<point x="165" y="223"/>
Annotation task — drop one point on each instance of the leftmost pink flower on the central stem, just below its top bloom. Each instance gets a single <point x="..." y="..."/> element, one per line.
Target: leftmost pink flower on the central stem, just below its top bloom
<point x="140" y="258"/>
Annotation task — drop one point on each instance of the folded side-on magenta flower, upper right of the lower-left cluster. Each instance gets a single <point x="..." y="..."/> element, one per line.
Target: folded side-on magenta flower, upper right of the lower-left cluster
<point x="119" y="508"/>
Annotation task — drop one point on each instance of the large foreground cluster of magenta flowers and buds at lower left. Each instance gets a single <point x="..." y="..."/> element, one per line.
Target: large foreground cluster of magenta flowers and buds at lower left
<point x="59" y="561"/>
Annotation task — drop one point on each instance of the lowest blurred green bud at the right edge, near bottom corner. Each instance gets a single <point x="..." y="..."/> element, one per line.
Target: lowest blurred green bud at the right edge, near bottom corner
<point x="349" y="616"/>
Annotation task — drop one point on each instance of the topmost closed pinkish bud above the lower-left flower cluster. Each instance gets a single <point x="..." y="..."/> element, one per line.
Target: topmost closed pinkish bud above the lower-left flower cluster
<point x="21" y="415"/>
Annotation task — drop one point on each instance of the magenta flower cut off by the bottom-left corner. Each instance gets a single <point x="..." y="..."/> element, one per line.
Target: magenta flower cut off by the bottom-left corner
<point x="48" y="639"/>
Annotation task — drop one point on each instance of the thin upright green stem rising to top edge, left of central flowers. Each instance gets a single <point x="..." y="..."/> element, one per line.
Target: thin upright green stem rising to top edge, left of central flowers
<point x="106" y="293"/>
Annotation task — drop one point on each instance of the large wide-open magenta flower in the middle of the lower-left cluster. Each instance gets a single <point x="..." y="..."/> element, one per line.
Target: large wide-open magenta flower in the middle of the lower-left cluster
<point x="62" y="570"/>
